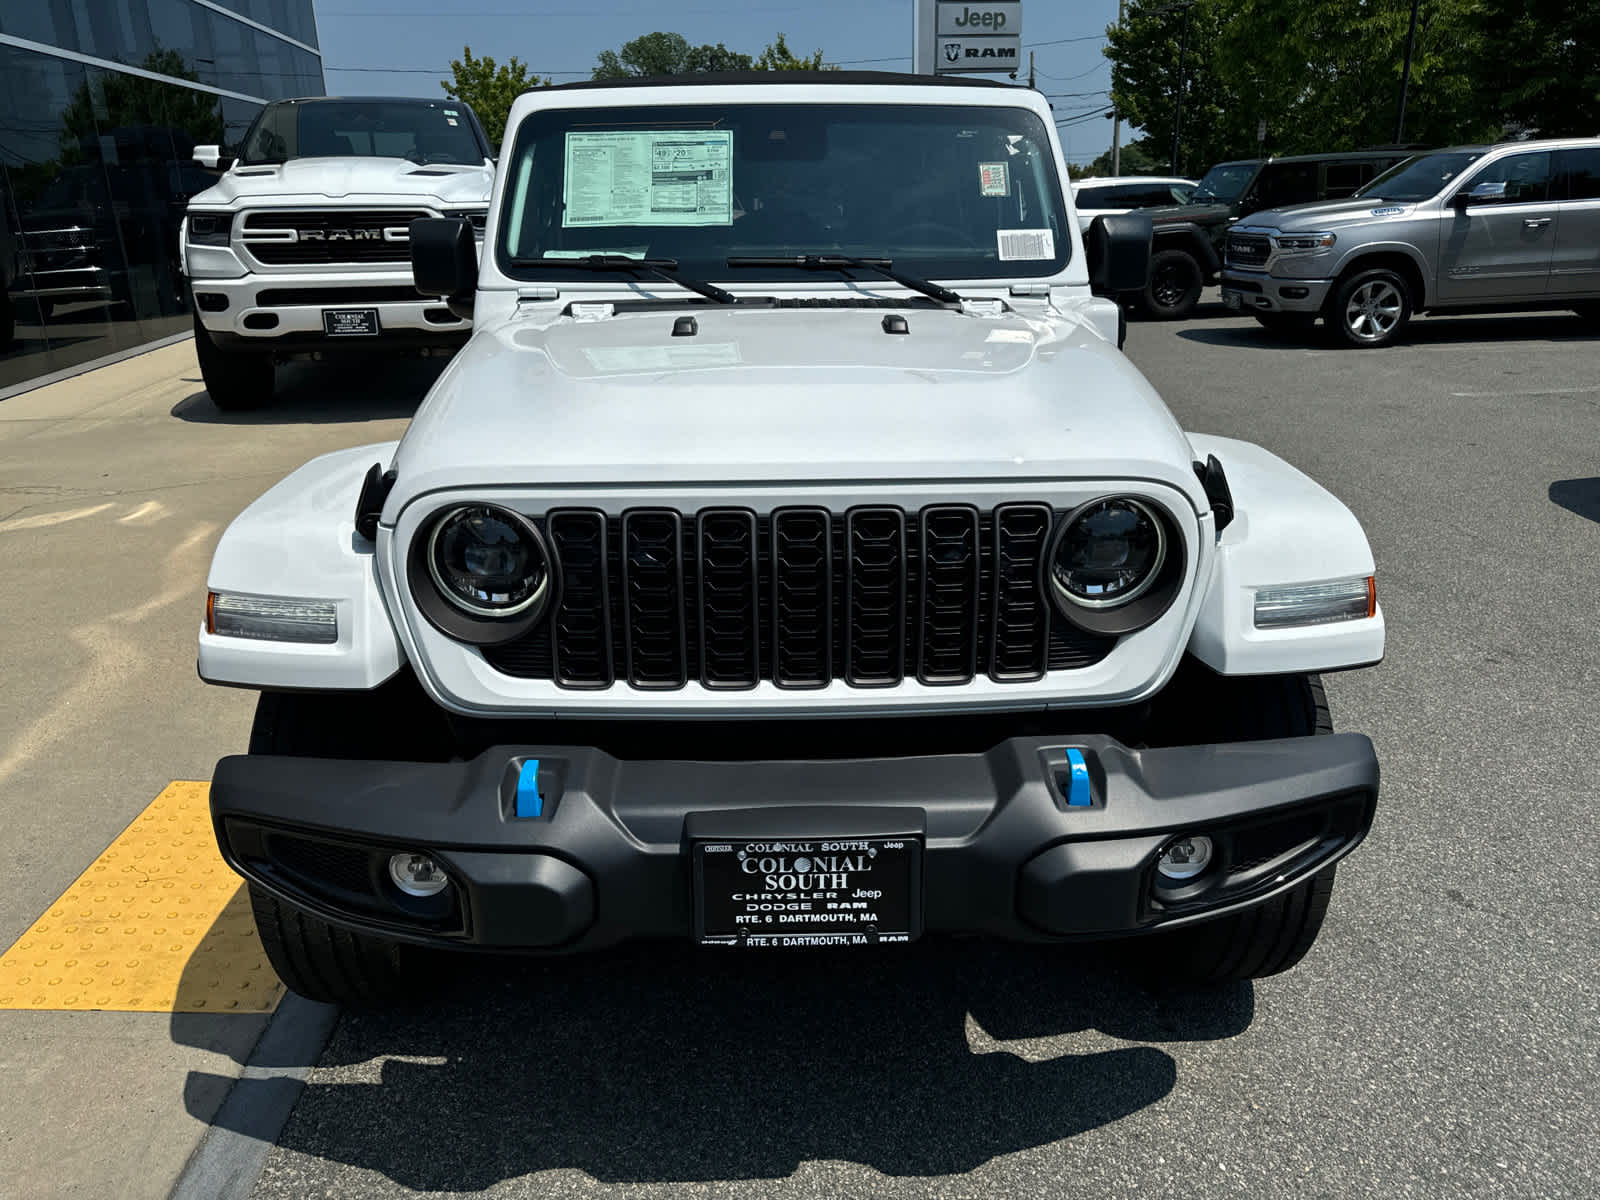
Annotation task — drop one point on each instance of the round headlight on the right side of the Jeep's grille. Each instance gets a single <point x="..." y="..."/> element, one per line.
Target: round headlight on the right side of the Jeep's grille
<point x="1114" y="566"/>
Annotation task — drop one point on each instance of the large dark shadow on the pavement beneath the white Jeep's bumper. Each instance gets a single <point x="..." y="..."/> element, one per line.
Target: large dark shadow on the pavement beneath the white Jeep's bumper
<point x="660" y="1063"/>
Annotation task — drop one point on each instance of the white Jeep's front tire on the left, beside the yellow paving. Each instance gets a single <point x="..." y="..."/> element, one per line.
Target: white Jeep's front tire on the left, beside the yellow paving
<point x="314" y="958"/>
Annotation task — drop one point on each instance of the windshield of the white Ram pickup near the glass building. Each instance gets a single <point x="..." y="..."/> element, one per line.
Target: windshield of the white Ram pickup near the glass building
<point x="423" y="132"/>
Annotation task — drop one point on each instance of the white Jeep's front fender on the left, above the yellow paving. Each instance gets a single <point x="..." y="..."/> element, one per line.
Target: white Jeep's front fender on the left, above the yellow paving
<point x="300" y="542"/>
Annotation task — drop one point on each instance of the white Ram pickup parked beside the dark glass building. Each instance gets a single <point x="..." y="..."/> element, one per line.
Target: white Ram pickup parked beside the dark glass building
<point x="302" y="249"/>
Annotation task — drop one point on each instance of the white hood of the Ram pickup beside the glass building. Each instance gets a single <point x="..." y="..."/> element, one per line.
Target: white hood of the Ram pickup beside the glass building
<point x="367" y="180"/>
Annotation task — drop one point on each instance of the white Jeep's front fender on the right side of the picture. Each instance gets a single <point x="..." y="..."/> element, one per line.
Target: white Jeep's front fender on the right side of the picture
<point x="1287" y="530"/>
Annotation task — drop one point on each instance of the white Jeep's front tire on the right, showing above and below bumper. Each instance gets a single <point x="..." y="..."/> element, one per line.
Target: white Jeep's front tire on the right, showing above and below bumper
<point x="1276" y="935"/>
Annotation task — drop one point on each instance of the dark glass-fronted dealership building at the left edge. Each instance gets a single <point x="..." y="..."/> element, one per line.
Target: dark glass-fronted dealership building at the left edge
<point x="102" y="106"/>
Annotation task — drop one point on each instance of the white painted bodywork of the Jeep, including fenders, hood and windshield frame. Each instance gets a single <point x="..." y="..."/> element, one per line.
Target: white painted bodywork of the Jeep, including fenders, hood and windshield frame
<point x="772" y="407"/>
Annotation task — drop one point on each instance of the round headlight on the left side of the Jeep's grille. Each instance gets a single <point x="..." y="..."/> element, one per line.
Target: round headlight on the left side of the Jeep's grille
<point x="489" y="562"/>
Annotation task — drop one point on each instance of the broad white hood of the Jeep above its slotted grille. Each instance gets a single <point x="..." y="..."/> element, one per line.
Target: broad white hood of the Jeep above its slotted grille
<point x="778" y="396"/>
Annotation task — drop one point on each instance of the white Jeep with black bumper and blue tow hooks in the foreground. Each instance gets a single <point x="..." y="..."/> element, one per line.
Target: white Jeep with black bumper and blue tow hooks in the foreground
<point x="790" y="559"/>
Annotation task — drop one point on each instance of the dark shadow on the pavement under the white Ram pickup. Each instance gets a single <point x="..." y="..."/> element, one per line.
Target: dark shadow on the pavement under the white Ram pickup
<point x="327" y="393"/>
